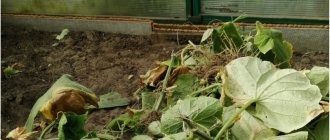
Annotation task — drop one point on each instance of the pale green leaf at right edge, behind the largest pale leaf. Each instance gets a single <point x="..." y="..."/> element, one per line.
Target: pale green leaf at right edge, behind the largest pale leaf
<point x="320" y="76"/>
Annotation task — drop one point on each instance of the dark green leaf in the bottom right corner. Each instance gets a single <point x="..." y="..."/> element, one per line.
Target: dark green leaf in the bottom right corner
<point x="321" y="130"/>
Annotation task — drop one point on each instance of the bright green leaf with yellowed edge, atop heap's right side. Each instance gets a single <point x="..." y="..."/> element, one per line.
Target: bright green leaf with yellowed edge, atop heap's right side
<point x="271" y="39"/>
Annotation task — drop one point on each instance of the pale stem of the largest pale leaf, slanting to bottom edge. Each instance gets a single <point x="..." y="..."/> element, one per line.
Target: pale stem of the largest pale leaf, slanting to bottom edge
<point x="232" y="119"/>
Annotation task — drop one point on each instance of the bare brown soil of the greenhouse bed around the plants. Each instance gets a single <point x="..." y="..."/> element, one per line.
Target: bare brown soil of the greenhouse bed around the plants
<point x="100" y="61"/>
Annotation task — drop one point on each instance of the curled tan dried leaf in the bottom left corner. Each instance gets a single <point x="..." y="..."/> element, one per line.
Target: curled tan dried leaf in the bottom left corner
<point x="19" y="134"/>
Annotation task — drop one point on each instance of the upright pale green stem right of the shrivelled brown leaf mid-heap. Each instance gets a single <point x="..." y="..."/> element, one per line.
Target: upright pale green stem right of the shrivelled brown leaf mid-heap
<point x="162" y="93"/>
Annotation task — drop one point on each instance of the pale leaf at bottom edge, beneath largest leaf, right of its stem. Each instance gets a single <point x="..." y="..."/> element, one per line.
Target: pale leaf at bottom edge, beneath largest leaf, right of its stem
<point x="249" y="127"/>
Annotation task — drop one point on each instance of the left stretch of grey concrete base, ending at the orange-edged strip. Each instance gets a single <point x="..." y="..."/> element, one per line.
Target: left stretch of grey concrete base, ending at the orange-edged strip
<point x="58" y="24"/>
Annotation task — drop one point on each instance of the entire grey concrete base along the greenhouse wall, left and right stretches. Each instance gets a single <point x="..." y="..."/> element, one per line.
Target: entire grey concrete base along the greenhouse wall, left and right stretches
<point x="302" y="39"/>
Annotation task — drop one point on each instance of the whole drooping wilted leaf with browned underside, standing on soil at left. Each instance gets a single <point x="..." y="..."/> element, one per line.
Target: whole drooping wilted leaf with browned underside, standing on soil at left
<point x="64" y="90"/>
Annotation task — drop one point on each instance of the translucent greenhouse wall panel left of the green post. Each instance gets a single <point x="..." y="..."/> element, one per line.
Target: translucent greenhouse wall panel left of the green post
<point x="136" y="8"/>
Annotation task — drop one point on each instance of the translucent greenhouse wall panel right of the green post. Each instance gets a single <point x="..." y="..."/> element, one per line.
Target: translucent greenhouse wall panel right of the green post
<point x="291" y="9"/>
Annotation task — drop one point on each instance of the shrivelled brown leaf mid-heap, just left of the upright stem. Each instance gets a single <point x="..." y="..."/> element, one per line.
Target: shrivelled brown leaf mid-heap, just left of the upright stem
<point x="152" y="77"/>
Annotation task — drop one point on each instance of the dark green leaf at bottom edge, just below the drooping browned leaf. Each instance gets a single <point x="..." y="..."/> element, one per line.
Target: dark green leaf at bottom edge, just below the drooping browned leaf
<point x="71" y="126"/>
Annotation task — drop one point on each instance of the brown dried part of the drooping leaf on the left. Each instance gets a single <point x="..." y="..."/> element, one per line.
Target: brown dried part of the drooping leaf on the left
<point x="67" y="101"/>
